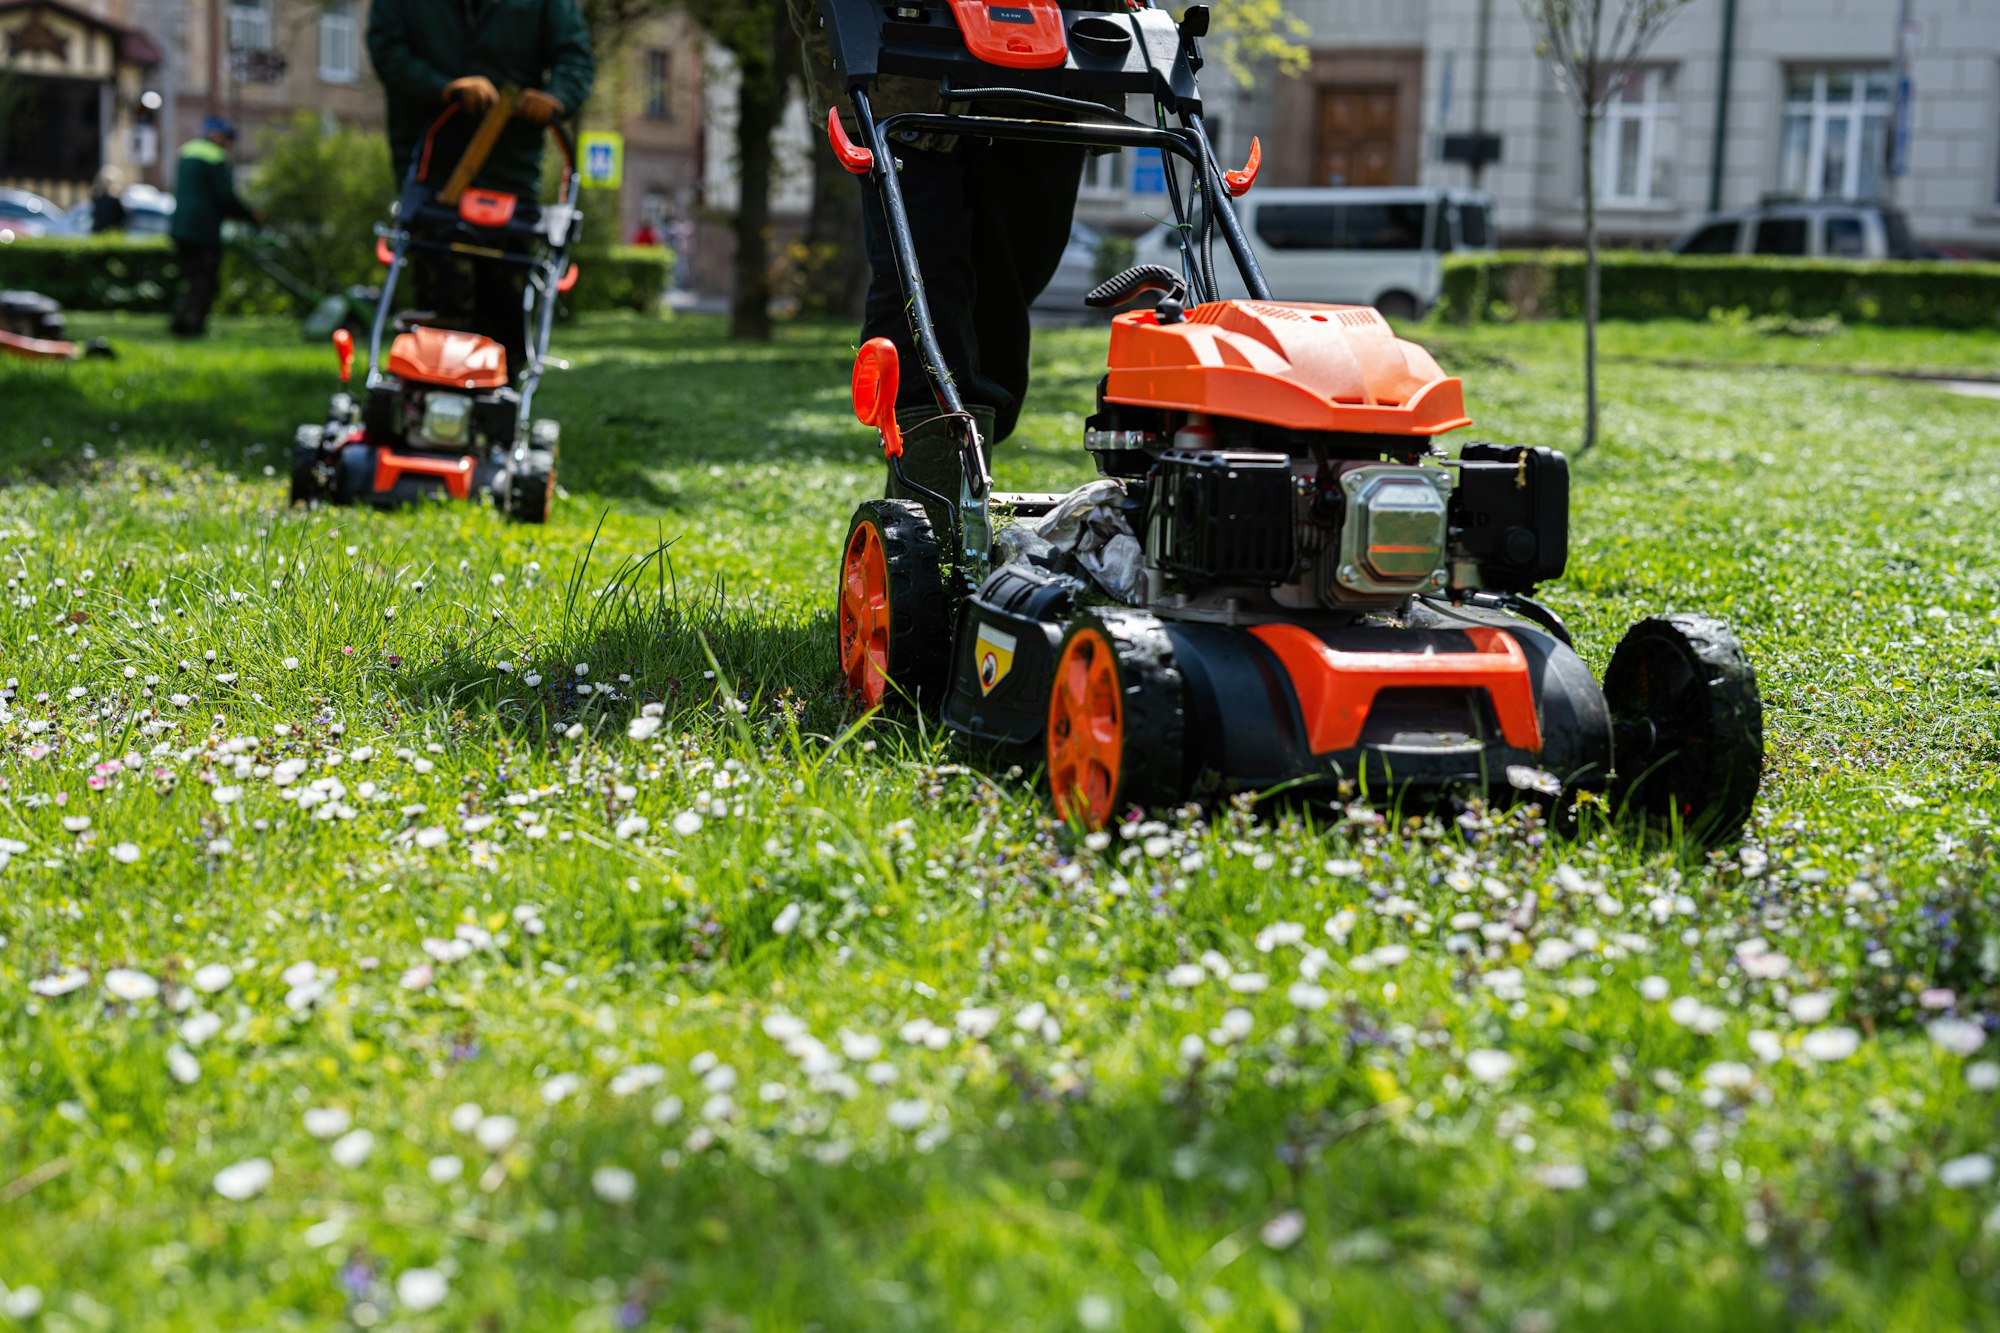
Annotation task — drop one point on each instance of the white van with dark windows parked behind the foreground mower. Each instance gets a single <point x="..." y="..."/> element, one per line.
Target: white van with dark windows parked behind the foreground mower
<point x="1367" y="247"/>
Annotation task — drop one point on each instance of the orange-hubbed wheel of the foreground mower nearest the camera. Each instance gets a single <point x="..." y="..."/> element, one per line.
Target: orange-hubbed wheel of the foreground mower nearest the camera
<point x="1115" y="720"/>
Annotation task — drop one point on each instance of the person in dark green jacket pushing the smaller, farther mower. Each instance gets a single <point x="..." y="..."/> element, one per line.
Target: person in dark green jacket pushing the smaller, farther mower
<point x="469" y="53"/>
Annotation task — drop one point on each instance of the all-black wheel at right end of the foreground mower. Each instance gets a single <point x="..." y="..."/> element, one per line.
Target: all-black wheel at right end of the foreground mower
<point x="1689" y="726"/>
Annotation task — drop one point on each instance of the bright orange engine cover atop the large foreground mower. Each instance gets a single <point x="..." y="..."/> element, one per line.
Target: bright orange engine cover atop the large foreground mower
<point x="1285" y="365"/>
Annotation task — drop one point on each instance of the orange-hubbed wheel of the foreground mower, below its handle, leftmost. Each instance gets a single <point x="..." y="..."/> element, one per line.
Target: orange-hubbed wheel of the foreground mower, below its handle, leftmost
<point x="895" y="629"/>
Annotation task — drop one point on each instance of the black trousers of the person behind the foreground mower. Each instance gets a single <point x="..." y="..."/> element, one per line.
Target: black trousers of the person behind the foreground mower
<point x="991" y="221"/>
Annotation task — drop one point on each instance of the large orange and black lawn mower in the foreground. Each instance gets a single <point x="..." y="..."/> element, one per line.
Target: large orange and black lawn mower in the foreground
<point x="1323" y="597"/>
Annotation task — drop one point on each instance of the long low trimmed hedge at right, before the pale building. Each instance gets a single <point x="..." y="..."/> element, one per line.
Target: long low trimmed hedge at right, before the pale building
<point x="1637" y="285"/>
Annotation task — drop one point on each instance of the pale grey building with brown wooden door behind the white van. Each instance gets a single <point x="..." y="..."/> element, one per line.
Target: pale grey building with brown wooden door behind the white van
<point x="1737" y="101"/>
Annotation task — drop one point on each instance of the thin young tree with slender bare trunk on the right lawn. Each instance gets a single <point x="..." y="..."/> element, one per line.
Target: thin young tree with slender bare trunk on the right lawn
<point x="1593" y="59"/>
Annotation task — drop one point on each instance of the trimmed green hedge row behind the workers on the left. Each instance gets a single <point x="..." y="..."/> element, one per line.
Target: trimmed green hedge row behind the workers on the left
<point x="89" y="273"/>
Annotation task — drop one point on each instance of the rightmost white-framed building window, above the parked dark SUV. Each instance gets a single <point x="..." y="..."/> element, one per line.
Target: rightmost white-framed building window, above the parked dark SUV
<point x="1837" y="133"/>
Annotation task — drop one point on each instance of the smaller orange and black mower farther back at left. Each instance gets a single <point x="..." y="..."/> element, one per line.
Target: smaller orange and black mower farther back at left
<point x="443" y="415"/>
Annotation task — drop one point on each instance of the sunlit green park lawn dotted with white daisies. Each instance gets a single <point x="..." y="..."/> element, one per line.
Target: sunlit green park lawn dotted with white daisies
<point x="423" y="922"/>
